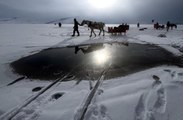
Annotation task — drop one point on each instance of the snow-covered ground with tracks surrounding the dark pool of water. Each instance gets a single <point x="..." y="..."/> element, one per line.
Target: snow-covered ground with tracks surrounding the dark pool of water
<point x="153" y="94"/>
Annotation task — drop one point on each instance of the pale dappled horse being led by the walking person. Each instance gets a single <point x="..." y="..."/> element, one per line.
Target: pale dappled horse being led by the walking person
<point x="94" y="25"/>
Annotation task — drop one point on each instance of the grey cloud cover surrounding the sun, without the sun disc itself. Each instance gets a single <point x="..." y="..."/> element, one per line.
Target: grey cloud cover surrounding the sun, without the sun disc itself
<point x="143" y="10"/>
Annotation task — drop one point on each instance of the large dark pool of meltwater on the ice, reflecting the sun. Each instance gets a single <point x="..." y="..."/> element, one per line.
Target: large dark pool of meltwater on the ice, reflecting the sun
<point x="86" y="62"/>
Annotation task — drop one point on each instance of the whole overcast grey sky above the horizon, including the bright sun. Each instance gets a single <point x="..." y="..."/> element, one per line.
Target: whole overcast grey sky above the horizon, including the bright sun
<point x="109" y="11"/>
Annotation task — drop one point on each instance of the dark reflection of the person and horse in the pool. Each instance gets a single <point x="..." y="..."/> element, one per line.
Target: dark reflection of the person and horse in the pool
<point x="89" y="48"/>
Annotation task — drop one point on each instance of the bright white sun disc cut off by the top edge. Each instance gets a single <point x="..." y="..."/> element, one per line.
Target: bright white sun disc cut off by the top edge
<point x="102" y="4"/>
